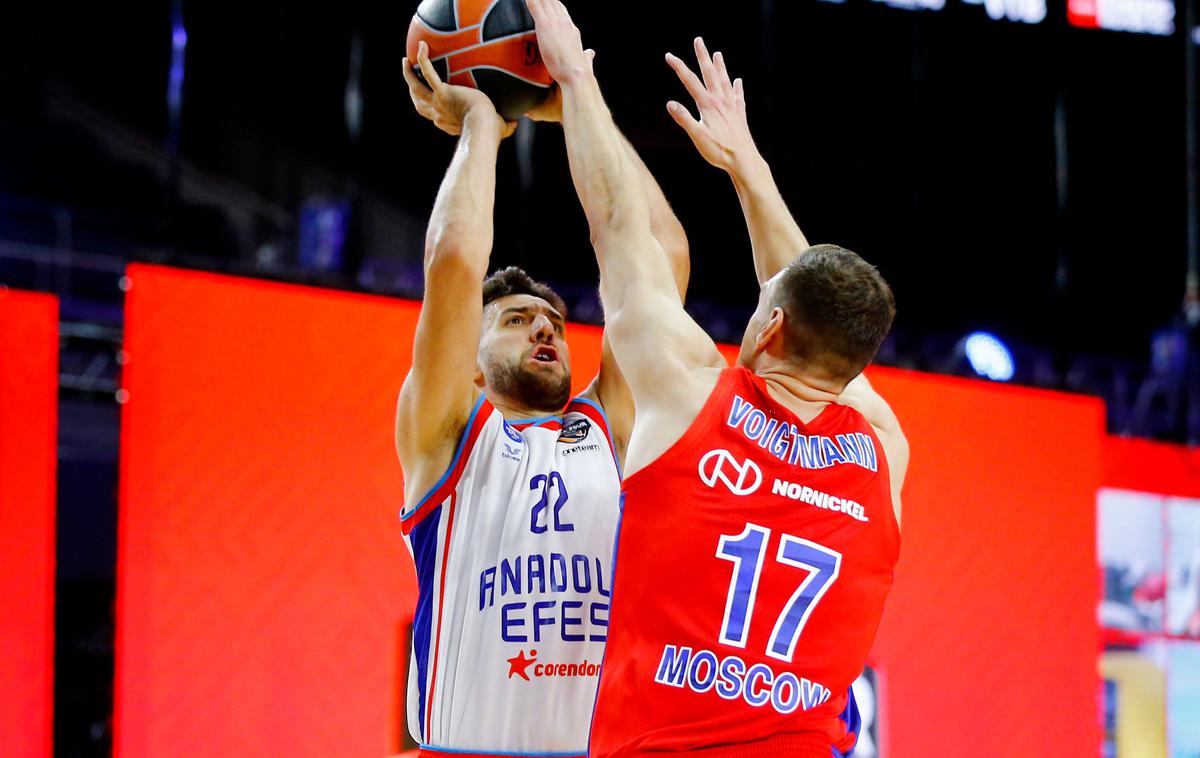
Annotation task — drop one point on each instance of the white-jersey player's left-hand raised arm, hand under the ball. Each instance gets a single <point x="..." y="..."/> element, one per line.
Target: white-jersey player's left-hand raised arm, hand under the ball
<point x="439" y="394"/>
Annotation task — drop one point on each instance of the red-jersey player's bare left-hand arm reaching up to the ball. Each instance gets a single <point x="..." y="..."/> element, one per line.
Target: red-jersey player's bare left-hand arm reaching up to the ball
<point x="656" y="344"/>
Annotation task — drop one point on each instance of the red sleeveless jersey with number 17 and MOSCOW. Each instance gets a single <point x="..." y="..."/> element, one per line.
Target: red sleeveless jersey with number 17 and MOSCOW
<point x="753" y="562"/>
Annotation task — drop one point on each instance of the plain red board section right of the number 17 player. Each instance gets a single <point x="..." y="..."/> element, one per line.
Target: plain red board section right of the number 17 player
<point x="988" y="646"/>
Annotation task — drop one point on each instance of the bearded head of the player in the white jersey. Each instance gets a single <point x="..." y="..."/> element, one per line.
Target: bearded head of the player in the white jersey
<point x="523" y="352"/>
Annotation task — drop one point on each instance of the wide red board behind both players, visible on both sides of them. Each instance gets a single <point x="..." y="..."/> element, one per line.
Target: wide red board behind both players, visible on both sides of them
<point x="263" y="580"/>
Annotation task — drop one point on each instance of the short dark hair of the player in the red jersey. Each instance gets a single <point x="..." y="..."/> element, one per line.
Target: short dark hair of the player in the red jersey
<point x="838" y="311"/>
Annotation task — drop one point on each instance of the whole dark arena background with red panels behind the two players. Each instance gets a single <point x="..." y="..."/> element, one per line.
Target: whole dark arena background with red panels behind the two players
<point x="212" y="232"/>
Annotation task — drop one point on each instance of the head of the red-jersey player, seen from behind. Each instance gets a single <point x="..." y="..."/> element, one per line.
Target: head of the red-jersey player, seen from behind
<point x="826" y="314"/>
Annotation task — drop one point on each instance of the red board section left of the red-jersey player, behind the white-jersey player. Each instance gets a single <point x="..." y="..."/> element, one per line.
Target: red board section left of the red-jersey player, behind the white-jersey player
<point x="262" y="581"/>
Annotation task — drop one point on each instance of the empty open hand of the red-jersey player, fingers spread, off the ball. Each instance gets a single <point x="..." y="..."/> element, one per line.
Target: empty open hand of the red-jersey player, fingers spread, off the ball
<point x="722" y="135"/>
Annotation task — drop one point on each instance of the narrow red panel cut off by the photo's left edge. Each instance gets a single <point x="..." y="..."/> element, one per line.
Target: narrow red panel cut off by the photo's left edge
<point x="29" y="384"/>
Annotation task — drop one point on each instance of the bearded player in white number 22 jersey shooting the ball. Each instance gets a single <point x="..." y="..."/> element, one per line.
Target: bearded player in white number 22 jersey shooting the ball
<point x="512" y="490"/>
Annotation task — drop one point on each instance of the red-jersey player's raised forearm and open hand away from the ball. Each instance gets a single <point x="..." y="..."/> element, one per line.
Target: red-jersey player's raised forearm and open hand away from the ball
<point x="723" y="139"/>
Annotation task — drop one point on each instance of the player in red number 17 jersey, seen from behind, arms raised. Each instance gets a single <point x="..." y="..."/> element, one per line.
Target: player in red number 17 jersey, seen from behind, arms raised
<point x="761" y="502"/>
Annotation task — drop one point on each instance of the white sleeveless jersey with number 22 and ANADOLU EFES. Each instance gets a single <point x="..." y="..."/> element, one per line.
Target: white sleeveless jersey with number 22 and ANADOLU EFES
<point x="513" y="551"/>
